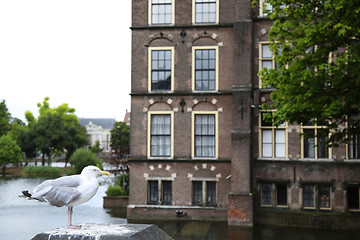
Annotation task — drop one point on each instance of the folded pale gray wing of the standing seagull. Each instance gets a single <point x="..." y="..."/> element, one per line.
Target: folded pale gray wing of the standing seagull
<point x="58" y="192"/>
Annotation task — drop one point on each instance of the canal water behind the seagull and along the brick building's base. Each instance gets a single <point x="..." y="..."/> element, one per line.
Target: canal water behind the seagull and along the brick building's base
<point x="22" y="219"/>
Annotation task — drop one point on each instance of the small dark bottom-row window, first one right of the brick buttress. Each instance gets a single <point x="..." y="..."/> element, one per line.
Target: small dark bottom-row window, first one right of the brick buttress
<point x="271" y="190"/>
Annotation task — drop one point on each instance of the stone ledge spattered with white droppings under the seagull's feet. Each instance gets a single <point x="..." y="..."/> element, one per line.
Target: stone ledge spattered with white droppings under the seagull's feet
<point x="105" y="232"/>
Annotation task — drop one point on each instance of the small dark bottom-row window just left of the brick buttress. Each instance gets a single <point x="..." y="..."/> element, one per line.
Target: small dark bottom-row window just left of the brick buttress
<point x="204" y="193"/>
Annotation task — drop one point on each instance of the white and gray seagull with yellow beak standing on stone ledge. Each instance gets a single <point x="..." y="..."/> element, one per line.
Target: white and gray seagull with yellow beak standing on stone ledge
<point x="68" y="190"/>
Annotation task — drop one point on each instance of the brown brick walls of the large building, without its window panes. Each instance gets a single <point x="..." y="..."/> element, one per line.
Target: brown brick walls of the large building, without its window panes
<point x="237" y="169"/>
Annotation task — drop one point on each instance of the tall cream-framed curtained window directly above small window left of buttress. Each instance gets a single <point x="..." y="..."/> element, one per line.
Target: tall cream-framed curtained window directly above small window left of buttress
<point x="204" y="135"/>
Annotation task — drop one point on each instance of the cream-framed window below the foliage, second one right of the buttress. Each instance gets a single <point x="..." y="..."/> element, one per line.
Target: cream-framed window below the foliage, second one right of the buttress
<point x="314" y="142"/>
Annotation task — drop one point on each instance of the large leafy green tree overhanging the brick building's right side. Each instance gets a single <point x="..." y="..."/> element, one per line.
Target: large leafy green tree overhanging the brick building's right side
<point x="309" y="87"/>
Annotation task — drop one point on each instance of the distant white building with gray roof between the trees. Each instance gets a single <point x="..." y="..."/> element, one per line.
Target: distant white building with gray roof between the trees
<point x="98" y="129"/>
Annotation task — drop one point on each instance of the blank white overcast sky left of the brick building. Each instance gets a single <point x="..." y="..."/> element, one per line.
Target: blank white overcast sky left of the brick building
<point x="72" y="51"/>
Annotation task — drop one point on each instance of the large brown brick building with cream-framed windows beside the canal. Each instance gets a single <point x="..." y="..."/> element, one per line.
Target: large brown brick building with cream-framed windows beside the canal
<point x="199" y="149"/>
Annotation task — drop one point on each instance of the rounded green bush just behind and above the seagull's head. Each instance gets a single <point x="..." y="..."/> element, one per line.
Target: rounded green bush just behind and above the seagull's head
<point x="84" y="157"/>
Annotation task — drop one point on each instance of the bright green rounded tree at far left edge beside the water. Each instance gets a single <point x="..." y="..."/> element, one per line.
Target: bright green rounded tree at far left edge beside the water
<point x="10" y="152"/>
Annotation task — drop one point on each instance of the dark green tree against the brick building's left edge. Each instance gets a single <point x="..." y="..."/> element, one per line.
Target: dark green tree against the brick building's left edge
<point x="120" y="139"/>
